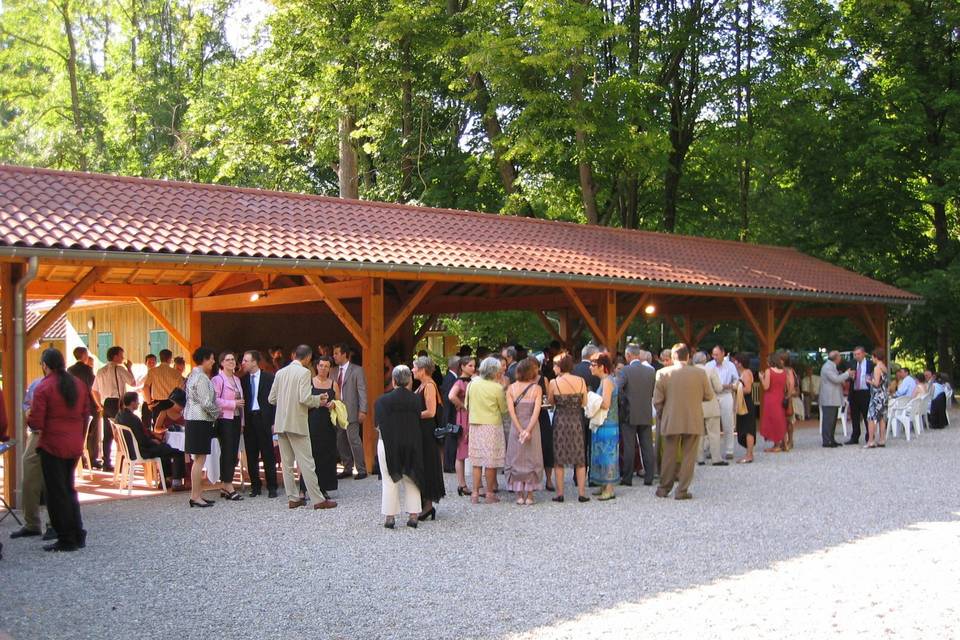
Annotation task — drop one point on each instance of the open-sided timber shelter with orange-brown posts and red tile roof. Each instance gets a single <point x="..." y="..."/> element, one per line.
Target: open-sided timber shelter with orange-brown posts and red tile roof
<point x="252" y="267"/>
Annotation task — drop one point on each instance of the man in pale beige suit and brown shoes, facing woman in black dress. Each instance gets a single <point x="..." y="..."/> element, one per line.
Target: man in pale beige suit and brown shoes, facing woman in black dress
<point x="291" y="394"/>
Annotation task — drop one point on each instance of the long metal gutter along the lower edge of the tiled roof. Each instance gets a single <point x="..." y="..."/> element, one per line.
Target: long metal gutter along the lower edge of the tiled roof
<point x="308" y="264"/>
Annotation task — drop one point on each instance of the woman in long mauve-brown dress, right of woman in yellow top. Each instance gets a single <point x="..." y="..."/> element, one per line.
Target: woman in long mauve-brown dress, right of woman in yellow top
<point x="524" y="453"/>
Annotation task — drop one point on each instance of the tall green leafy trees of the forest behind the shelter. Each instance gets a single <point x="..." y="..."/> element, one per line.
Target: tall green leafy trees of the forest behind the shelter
<point x="828" y="125"/>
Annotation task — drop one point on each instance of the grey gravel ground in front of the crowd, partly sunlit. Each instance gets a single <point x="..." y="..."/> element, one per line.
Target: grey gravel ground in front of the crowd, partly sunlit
<point x="811" y="543"/>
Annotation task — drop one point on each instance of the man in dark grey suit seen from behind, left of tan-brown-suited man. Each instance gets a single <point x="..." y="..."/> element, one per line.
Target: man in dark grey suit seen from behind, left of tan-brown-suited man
<point x="636" y="416"/>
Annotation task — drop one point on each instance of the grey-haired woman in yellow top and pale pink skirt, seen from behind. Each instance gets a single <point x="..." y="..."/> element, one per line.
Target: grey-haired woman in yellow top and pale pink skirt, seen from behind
<point x="486" y="403"/>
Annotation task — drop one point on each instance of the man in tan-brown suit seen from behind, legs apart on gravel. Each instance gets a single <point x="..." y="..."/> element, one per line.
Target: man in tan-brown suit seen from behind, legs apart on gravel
<point x="678" y="396"/>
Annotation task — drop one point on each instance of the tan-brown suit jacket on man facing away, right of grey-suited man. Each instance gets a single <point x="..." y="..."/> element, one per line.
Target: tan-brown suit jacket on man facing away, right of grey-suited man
<point x="678" y="398"/>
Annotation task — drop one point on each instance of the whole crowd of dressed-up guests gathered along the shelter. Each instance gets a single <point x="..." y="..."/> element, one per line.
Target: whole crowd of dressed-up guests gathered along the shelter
<point x="509" y="414"/>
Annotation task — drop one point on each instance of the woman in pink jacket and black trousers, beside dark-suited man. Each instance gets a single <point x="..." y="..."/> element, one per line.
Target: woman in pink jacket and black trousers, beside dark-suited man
<point x="226" y="385"/>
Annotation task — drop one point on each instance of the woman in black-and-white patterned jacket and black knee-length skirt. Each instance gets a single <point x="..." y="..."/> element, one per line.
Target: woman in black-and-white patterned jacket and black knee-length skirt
<point x="200" y="413"/>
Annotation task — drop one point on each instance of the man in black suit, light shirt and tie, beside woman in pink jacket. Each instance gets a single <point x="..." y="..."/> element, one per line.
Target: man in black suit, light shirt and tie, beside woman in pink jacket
<point x="258" y="417"/>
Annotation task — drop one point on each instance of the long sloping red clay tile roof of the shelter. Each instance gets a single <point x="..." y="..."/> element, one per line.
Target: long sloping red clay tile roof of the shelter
<point x="66" y="210"/>
